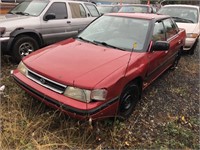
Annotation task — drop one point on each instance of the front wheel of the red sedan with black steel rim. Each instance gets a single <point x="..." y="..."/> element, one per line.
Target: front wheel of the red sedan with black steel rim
<point x="128" y="100"/>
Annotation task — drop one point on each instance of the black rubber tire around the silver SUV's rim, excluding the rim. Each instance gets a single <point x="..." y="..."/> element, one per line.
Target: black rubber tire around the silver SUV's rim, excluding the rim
<point x="19" y="41"/>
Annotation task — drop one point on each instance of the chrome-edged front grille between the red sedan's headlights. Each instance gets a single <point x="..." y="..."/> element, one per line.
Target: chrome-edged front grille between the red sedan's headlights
<point x="50" y="84"/>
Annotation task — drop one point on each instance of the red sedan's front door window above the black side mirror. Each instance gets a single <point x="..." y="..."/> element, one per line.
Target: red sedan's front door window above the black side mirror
<point x="158" y="32"/>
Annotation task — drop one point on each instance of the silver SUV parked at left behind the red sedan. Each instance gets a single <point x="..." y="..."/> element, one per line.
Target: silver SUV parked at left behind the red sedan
<point x="36" y="23"/>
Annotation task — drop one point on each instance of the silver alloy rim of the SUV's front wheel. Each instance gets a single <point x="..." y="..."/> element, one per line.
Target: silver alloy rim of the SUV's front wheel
<point x="25" y="49"/>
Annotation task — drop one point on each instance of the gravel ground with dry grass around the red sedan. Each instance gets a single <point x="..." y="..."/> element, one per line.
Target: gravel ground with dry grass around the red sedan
<point x="166" y="117"/>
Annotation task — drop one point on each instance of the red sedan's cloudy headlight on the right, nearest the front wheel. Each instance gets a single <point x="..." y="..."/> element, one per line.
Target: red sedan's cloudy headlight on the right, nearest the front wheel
<point x="85" y="95"/>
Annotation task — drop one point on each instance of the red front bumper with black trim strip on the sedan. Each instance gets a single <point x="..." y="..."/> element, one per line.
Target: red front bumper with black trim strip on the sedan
<point x="64" y="104"/>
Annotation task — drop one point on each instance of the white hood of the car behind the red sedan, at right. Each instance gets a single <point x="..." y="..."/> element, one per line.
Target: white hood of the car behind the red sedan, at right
<point x="190" y="28"/>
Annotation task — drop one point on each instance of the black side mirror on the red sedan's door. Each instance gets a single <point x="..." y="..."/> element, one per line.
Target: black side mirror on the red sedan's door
<point x="160" y="46"/>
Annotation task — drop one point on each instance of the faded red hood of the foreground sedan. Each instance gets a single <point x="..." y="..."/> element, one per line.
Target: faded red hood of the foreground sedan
<point x="72" y="62"/>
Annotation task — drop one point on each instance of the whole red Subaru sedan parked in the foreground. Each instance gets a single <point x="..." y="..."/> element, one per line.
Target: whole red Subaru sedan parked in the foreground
<point x="102" y="72"/>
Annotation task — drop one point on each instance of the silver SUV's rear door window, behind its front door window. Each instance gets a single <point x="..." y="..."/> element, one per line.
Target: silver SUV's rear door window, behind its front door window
<point x="77" y="10"/>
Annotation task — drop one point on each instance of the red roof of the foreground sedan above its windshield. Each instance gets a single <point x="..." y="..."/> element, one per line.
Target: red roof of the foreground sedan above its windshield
<point x="140" y="15"/>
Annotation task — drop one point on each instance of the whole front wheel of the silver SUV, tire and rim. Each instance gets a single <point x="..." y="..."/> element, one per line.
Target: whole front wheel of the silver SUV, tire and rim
<point x="23" y="46"/>
